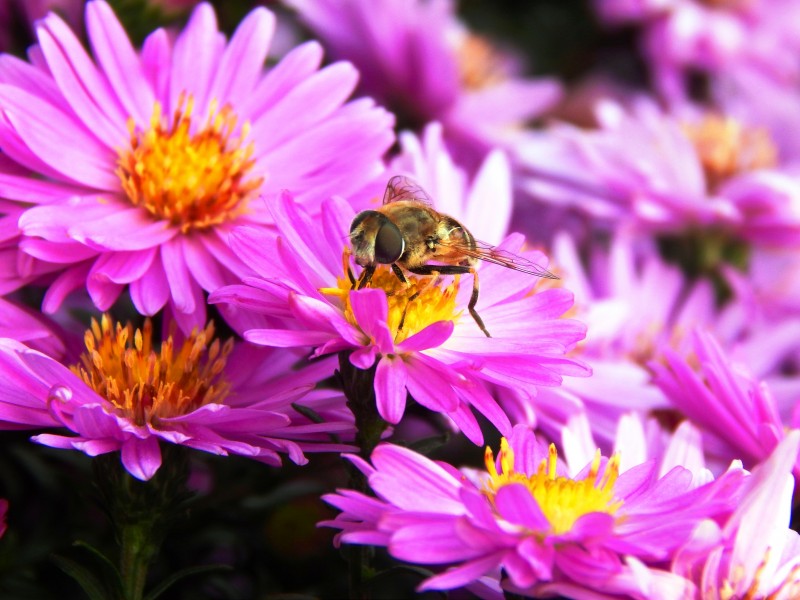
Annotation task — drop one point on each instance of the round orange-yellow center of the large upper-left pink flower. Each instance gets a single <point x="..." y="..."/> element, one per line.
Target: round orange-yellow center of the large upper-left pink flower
<point x="193" y="176"/>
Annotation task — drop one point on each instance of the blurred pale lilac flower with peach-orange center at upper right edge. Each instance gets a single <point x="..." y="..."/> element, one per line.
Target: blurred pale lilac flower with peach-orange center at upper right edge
<point x="668" y="173"/>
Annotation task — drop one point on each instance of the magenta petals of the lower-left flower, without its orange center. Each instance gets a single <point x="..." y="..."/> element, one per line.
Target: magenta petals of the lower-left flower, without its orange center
<point x="256" y="418"/>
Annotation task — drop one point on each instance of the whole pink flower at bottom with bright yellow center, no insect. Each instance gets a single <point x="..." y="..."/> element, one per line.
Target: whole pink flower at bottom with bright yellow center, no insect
<point x="592" y="532"/>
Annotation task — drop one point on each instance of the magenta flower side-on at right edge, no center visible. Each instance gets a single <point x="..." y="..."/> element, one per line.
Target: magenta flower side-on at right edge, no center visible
<point x="737" y="413"/>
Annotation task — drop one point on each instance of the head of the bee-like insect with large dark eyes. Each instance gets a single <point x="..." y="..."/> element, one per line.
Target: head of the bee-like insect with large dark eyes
<point x="375" y="239"/>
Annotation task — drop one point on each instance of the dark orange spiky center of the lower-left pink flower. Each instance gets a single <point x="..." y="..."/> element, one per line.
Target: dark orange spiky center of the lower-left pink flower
<point x="146" y="384"/>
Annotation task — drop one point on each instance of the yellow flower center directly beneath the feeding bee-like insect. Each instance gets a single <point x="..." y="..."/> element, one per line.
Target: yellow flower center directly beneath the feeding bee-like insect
<point x="412" y="307"/>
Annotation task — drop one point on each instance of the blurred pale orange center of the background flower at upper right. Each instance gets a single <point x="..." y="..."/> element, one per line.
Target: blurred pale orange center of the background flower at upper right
<point x="727" y="148"/>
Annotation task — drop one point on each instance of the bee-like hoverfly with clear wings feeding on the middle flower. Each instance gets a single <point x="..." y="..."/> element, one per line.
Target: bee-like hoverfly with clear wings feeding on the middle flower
<point x="408" y="234"/>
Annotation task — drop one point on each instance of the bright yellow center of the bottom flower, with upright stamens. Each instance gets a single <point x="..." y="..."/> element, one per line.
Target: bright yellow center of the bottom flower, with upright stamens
<point x="561" y="499"/>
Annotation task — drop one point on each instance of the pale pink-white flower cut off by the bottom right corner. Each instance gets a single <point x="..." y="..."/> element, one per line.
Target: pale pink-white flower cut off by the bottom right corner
<point x="754" y="553"/>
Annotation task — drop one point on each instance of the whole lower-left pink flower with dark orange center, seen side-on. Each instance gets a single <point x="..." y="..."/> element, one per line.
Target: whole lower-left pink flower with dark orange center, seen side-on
<point x="125" y="396"/>
